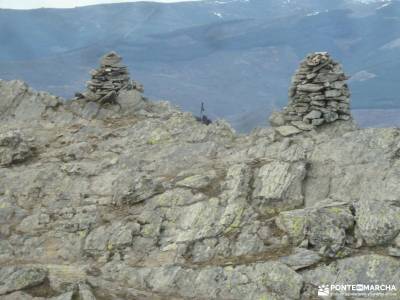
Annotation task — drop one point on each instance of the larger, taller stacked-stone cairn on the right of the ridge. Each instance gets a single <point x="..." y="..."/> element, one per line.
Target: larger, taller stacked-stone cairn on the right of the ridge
<point x="318" y="95"/>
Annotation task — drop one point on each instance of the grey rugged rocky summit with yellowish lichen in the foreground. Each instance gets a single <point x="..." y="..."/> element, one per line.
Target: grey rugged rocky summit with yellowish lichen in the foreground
<point x="145" y="202"/>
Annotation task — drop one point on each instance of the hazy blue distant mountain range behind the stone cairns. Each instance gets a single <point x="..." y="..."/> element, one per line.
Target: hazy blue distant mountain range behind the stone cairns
<point x="236" y="56"/>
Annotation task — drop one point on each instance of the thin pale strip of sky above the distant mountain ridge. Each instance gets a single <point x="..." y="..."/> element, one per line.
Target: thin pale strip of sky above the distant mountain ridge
<point x="28" y="4"/>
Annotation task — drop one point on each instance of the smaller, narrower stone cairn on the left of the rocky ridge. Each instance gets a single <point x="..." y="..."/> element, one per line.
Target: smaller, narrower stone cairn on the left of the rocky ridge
<point x="108" y="80"/>
